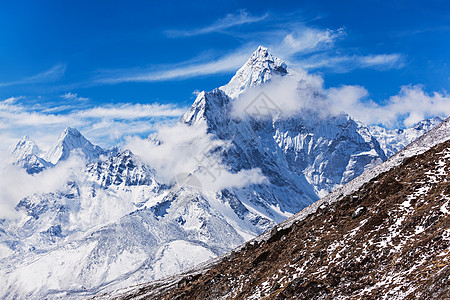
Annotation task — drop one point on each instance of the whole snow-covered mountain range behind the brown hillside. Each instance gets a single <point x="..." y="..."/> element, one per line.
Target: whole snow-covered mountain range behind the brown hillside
<point x="117" y="222"/>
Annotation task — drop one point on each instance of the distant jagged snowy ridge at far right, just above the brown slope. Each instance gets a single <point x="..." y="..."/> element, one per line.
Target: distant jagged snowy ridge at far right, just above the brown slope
<point x="392" y="141"/>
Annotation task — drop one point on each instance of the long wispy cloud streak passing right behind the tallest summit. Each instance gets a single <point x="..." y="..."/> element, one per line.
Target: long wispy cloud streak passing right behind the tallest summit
<point x="285" y="44"/>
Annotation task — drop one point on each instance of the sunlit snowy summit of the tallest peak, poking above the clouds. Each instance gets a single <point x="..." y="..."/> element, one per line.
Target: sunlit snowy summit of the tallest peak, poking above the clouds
<point x="260" y="68"/>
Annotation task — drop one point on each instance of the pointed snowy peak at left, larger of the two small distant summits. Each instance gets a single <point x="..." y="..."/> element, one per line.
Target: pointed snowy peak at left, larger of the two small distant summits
<point x="69" y="140"/>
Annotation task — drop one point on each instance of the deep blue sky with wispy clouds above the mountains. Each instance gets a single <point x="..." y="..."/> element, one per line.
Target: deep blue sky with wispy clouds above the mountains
<point x="66" y="58"/>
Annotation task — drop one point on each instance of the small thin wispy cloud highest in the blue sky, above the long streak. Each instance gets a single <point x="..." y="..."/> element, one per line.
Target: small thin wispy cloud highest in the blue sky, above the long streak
<point x="231" y="20"/>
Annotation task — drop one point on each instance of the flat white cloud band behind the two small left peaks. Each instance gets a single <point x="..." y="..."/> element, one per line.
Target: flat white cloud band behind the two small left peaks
<point x="106" y="125"/>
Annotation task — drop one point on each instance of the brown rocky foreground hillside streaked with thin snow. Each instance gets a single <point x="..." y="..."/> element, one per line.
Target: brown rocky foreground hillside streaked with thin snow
<point x="384" y="236"/>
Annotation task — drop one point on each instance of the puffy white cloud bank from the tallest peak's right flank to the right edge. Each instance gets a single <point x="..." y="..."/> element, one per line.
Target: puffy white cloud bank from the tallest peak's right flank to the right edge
<point x="293" y="95"/>
